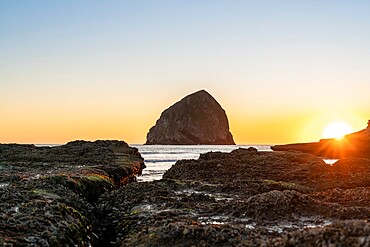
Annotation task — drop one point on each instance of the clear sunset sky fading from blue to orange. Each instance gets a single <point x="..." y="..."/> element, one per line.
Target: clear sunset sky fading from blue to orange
<point x="87" y="69"/>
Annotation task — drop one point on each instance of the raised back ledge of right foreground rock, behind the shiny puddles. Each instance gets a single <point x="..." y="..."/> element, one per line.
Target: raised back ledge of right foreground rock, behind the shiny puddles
<point x="303" y="172"/>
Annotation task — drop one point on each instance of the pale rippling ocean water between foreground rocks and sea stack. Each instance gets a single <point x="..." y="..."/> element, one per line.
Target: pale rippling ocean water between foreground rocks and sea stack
<point x="159" y="158"/>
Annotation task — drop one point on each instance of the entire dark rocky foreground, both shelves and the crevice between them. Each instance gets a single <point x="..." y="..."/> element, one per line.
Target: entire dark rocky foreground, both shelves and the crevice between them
<point x="242" y="198"/>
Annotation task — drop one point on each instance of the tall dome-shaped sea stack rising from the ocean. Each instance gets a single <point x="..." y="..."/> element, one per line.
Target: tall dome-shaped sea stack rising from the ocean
<point x="196" y="119"/>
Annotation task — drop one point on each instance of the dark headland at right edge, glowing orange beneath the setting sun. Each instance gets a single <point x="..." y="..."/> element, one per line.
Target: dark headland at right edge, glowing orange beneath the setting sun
<point x="353" y="145"/>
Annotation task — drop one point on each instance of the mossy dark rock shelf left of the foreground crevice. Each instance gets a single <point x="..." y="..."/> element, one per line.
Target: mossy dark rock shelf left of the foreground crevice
<point x="49" y="195"/>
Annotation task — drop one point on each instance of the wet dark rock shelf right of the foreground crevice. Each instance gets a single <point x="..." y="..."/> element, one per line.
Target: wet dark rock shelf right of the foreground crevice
<point x="244" y="198"/>
